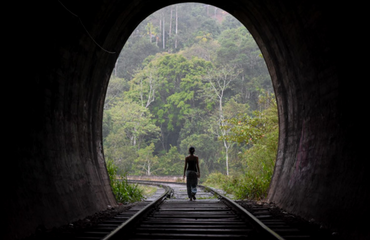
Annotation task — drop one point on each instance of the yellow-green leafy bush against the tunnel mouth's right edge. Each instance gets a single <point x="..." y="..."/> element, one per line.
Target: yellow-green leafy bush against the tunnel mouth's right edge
<point x="260" y="133"/>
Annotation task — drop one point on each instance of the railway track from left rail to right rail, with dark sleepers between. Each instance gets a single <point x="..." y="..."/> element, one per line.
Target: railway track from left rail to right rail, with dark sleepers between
<point x="205" y="218"/>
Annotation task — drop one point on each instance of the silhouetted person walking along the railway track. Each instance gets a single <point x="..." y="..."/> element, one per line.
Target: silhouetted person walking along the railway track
<point x="192" y="172"/>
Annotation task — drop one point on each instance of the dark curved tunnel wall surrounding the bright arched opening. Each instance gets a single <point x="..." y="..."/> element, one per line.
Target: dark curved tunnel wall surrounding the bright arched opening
<point x="64" y="52"/>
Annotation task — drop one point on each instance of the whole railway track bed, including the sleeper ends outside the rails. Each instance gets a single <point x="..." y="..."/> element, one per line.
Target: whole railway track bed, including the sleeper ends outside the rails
<point x="170" y="215"/>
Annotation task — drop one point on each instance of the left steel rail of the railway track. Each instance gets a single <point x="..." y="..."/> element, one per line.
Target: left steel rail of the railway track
<point x="122" y="229"/>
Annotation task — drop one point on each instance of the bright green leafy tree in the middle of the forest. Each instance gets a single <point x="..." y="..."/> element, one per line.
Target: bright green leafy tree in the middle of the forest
<point x="179" y="81"/>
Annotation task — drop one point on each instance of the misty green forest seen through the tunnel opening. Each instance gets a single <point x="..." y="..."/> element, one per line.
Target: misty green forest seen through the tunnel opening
<point x="192" y="75"/>
